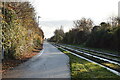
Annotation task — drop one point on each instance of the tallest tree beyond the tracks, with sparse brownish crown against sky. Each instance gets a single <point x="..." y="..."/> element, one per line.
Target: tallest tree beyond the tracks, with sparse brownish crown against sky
<point x="82" y="30"/>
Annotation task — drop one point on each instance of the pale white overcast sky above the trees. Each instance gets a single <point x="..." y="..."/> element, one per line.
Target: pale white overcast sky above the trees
<point x="55" y="13"/>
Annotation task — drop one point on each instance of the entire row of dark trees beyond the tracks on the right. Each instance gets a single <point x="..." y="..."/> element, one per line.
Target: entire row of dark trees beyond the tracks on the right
<point x="106" y="35"/>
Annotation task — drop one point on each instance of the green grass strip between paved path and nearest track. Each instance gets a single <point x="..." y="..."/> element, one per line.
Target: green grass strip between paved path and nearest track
<point x="83" y="69"/>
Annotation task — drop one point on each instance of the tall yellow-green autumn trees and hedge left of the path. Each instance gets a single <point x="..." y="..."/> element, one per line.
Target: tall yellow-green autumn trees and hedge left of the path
<point x="20" y="31"/>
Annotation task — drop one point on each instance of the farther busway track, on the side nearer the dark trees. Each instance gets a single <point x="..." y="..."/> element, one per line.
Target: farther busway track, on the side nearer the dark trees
<point x="115" y="60"/>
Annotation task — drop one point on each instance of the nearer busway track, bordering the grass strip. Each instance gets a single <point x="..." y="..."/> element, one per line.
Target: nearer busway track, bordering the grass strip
<point x="90" y="58"/>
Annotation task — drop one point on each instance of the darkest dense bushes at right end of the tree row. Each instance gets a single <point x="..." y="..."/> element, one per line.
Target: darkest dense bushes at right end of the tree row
<point x="105" y="37"/>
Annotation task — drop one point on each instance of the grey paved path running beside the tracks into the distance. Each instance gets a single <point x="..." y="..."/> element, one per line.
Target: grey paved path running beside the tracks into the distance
<point x="51" y="64"/>
